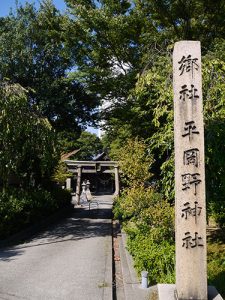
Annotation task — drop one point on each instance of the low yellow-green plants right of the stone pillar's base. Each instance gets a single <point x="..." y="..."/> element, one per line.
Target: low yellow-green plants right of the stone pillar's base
<point x="216" y="260"/>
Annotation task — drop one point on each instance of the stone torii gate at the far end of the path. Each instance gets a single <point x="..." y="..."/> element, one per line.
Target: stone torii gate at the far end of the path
<point x="82" y="167"/>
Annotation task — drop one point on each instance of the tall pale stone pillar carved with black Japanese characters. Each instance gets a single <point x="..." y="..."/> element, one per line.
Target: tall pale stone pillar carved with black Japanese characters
<point x="191" y="274"/>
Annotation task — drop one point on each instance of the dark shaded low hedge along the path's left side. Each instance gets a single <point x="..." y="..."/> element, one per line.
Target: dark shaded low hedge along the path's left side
<point x="20" y="208"/>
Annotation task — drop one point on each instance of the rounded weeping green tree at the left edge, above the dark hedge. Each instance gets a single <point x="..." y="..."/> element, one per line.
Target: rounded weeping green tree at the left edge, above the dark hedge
<point x="27" y="140"/>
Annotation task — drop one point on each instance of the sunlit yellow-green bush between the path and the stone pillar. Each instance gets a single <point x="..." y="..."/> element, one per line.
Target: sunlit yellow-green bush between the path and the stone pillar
<point x="149" y="223"/>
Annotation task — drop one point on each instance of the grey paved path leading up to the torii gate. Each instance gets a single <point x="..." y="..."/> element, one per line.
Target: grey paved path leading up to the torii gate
<point x="71" y="260"/>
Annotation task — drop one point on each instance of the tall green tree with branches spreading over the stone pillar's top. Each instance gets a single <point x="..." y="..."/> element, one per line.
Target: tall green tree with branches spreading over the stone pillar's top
<point x="113" y="41"/>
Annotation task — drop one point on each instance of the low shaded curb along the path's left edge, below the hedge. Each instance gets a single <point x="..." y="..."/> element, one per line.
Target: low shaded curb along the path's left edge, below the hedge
<point x="33" y="229"/>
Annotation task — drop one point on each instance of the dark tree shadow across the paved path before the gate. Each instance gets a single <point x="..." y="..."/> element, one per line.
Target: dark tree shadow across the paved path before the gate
<point x="81" y="224"/>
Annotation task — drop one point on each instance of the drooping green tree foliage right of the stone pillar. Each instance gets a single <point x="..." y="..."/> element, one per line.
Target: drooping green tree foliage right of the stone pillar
<point x="214" y="116"/>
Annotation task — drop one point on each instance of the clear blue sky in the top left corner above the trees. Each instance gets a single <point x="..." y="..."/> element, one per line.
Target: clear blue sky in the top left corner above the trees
<point x="7" y="4"/>
